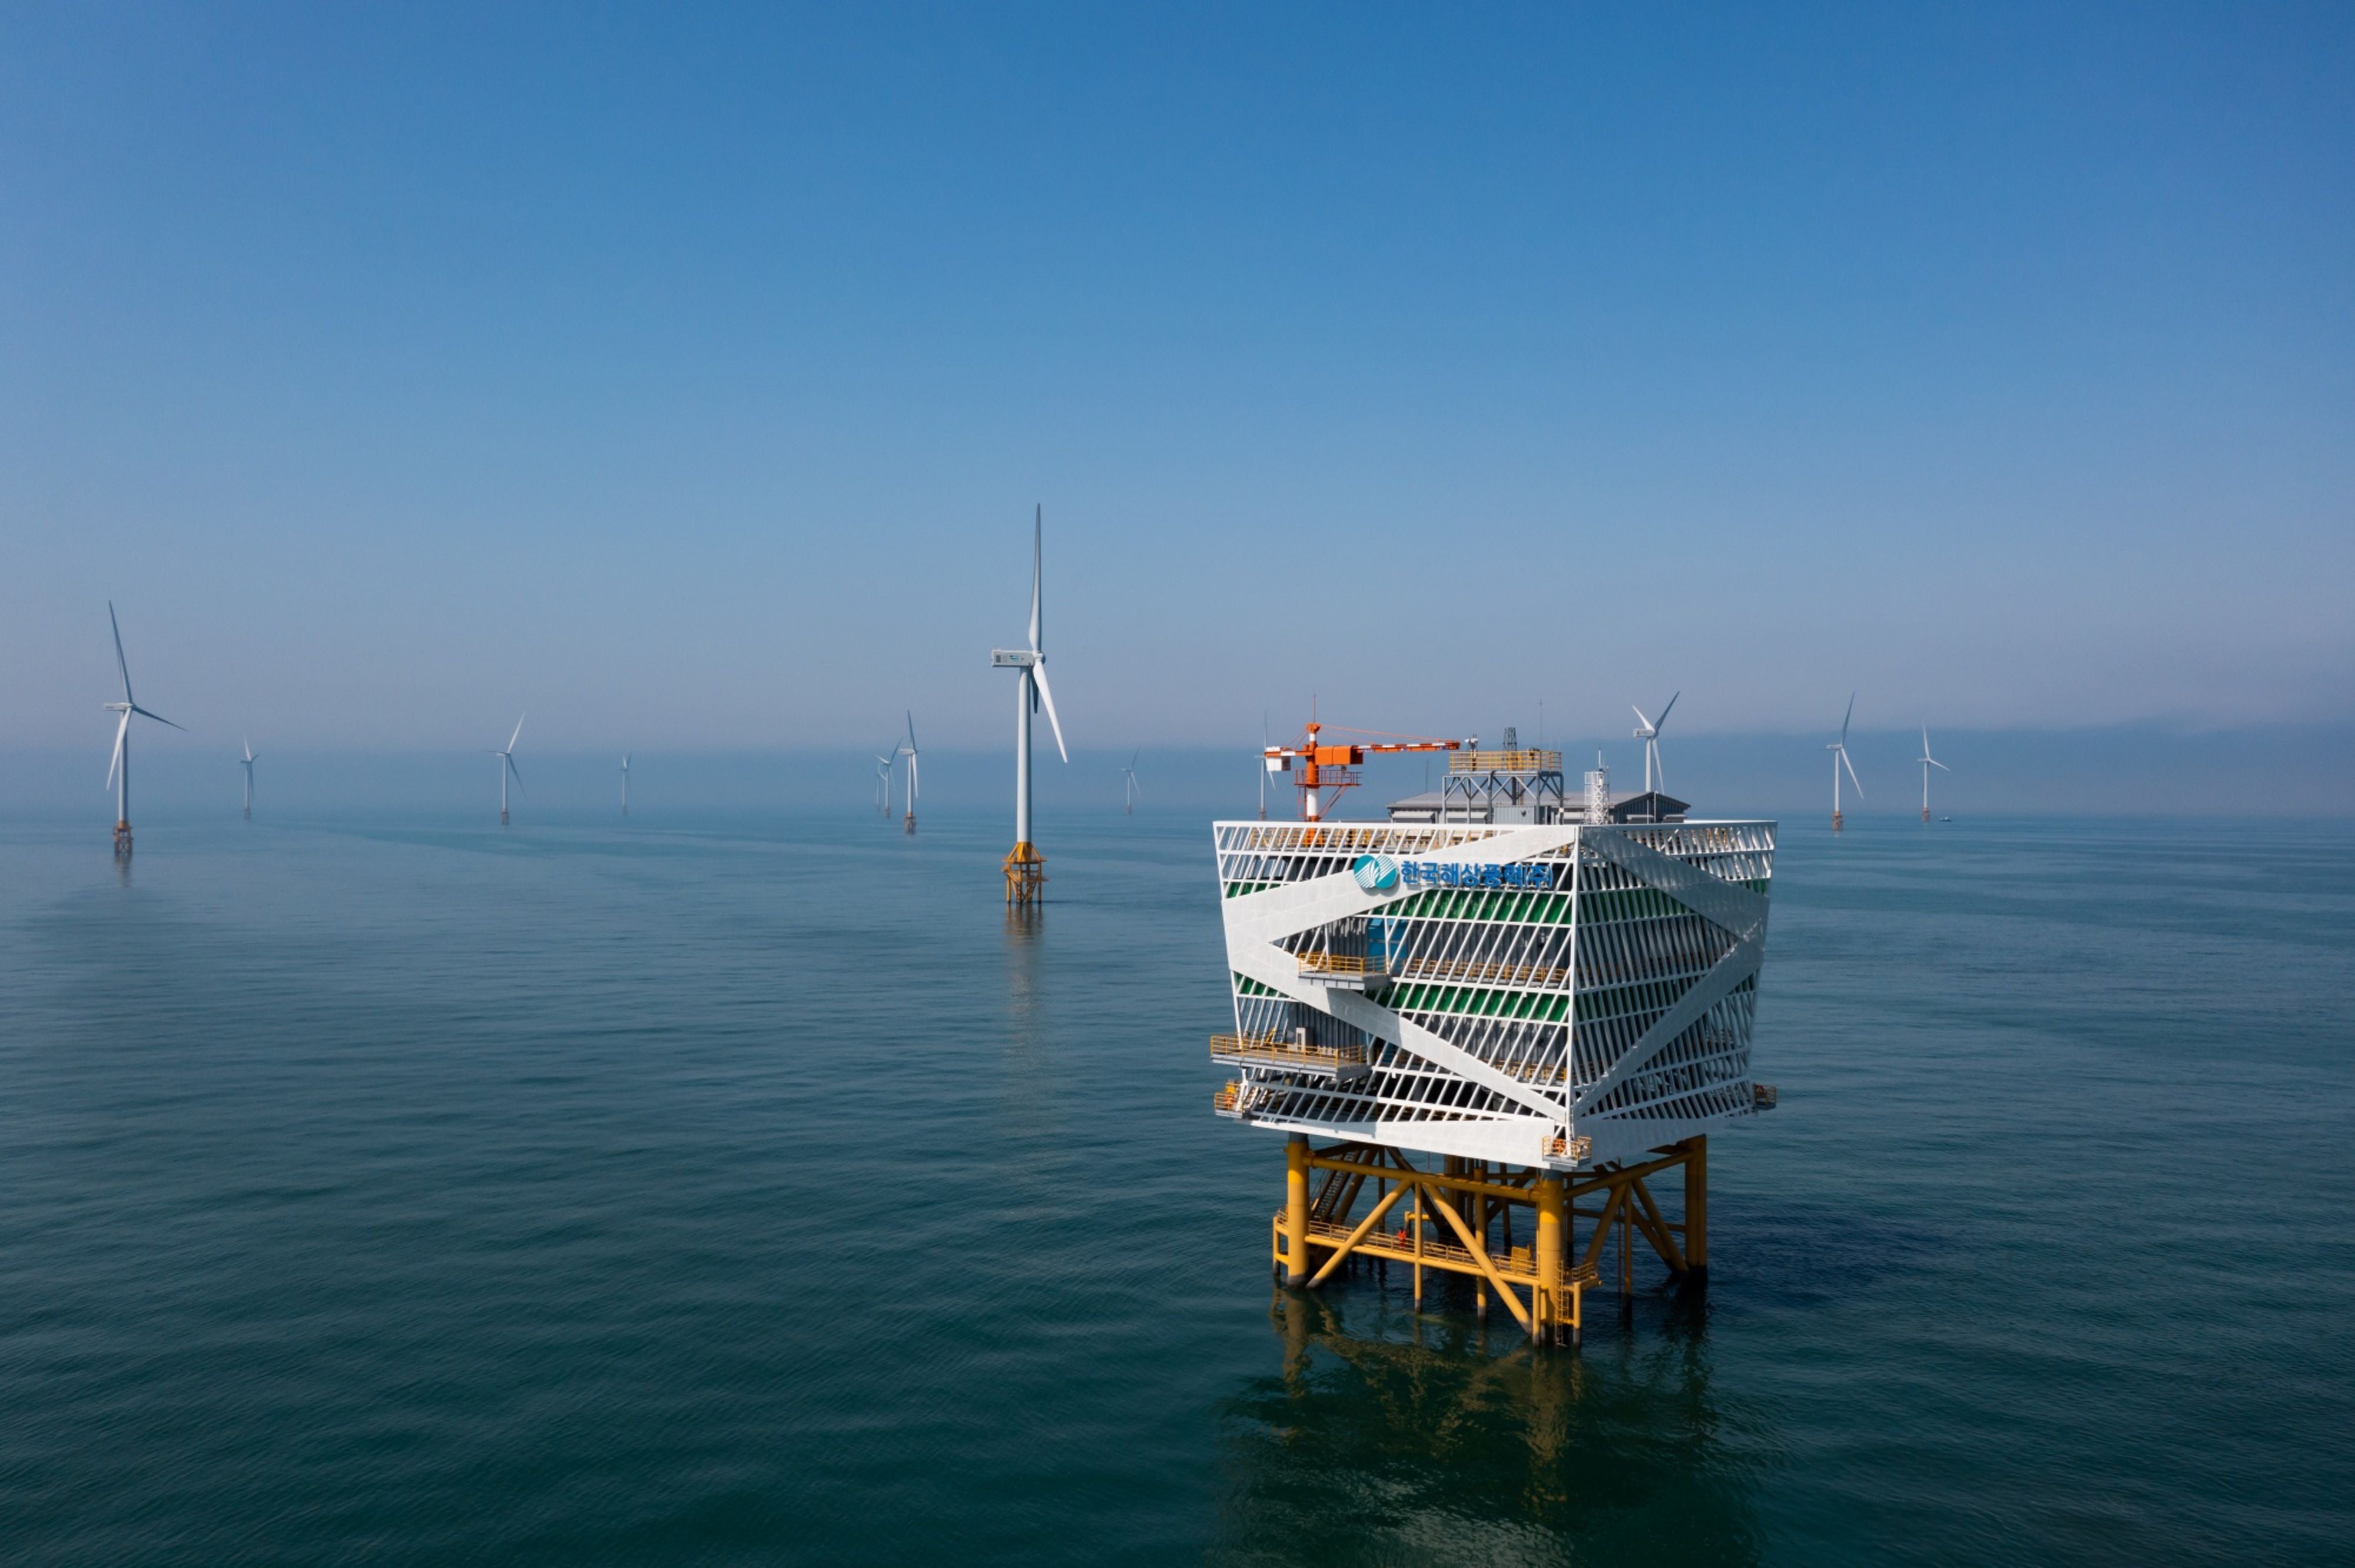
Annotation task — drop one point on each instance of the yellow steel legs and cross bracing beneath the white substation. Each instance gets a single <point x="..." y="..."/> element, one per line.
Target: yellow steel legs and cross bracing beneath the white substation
<point x="1450" y="1216"/>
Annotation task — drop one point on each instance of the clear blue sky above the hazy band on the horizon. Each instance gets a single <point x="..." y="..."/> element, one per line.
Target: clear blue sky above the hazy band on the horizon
<point x="689" y="380"/>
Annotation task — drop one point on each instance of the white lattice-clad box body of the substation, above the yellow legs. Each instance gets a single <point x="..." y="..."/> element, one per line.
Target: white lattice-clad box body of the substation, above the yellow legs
<point x="1555" y="997"/>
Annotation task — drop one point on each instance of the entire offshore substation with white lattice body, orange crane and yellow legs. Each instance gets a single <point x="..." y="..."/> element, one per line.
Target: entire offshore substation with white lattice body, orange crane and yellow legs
<point x="1506" y="1014"/>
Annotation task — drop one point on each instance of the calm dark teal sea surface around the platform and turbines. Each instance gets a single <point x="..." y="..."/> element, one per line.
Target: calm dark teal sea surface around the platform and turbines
<point x="416" y="1195"/>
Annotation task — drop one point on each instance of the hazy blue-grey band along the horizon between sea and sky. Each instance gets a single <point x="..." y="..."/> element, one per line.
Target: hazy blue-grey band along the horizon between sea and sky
<point x="2276" y="771"/>
